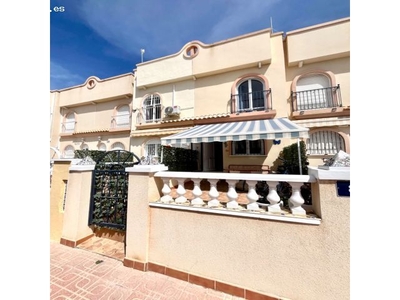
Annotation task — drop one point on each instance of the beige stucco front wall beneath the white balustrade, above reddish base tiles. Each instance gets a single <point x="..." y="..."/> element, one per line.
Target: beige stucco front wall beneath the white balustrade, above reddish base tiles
<point x="295" y="261"/>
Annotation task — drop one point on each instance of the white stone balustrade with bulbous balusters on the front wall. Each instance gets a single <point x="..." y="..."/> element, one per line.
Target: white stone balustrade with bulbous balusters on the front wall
<point x="206" y="194"/>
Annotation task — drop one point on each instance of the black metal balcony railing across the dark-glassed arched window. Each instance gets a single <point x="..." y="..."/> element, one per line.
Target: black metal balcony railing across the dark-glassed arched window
<point x="254" y="101"/>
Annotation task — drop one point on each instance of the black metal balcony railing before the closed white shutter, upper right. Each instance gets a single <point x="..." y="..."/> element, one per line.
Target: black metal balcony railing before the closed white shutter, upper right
<point x="316" y="99"/>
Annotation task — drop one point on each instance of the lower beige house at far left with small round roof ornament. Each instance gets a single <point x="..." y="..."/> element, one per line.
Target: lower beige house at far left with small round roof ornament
<point x="95" y="115"/>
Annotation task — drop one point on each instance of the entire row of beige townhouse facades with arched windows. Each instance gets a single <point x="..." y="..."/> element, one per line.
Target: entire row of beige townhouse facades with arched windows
<point x="302" y="76"/>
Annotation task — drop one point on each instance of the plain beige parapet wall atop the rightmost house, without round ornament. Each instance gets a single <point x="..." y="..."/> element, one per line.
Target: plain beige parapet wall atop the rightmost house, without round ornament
<point x="305" y="44"/>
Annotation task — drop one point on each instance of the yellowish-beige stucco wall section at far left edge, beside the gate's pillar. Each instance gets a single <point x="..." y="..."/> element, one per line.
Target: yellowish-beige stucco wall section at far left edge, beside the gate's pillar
<point x="57" y="189"/>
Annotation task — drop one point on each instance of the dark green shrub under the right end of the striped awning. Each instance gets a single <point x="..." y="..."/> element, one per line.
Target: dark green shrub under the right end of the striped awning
<point x="290" y="157"/>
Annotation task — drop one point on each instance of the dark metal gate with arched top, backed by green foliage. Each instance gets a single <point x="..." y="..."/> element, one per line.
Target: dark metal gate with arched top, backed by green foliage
<point x="108" y="201"/>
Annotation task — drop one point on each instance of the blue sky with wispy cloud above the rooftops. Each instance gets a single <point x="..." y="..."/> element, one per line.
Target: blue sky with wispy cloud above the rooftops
<point x="104" y="38"/>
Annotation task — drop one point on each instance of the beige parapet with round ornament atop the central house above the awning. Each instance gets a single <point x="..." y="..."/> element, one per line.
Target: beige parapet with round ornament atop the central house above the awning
<point x="211" y="59"/>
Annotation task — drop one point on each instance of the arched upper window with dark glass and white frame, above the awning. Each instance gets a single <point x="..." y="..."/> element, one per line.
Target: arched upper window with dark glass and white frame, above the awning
<point x="251" y="95"/>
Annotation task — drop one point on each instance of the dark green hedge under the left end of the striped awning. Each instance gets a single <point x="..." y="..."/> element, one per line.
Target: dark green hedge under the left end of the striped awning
<point x="179" y="159"/>
